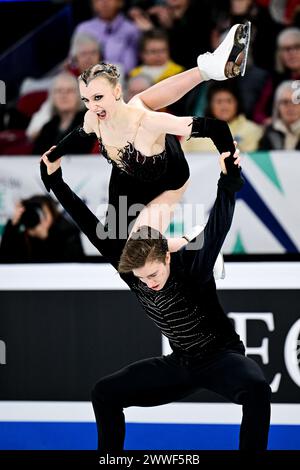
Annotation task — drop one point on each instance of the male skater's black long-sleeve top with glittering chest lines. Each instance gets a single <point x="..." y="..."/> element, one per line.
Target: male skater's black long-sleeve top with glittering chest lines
<point x="186" y="309"/>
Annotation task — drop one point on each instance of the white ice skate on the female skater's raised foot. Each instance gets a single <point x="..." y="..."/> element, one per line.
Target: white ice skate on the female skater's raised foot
<point x="230" y="58"/>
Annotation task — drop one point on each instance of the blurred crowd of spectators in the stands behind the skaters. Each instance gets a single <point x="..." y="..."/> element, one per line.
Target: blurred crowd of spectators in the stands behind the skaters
<point x="150" y="40"/>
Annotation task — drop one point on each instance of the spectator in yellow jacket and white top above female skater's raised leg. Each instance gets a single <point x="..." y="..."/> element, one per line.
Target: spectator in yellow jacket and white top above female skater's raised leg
<point x="155" y="55"/>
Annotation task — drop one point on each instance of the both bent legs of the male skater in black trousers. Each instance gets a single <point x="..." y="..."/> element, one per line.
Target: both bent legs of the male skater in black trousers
<point x="161" y="380"/>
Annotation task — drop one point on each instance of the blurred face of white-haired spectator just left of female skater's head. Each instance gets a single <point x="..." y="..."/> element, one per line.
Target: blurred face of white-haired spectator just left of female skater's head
<point x="65" y="96"/>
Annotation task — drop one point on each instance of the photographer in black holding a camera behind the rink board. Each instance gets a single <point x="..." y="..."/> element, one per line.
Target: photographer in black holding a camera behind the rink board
<point x="38" y="232"/>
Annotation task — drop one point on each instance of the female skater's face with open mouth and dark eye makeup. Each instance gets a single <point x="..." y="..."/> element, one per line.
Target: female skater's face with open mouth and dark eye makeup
<point x="100" y="97"/>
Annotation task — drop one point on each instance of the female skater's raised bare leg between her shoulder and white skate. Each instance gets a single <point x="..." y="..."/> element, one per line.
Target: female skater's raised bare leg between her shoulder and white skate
<point x="169" y="91"/>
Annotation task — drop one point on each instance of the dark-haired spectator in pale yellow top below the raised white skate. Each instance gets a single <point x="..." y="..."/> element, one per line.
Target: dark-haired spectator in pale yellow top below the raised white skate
<point x="224" y="104"/>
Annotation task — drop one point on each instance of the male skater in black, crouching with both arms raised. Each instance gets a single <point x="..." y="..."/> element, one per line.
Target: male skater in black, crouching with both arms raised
<point x="178" y="292"/>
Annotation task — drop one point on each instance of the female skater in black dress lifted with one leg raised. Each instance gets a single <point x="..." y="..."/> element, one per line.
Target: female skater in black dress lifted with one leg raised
<point x="149" y="166"/>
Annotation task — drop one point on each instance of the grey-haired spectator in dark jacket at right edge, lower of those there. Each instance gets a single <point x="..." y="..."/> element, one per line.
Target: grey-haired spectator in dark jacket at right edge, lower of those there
<point x="284" y="131"/>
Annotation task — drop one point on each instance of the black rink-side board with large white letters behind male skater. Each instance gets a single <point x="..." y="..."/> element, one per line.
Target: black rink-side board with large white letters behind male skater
<point x="58" y="344"/>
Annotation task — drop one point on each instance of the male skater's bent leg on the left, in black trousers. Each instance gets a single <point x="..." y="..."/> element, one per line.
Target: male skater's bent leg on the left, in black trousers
<point x="149" y="382"/>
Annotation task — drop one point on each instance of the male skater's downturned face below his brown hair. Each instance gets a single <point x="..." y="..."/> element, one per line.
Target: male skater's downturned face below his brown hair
<point x="154" y="273"/>
